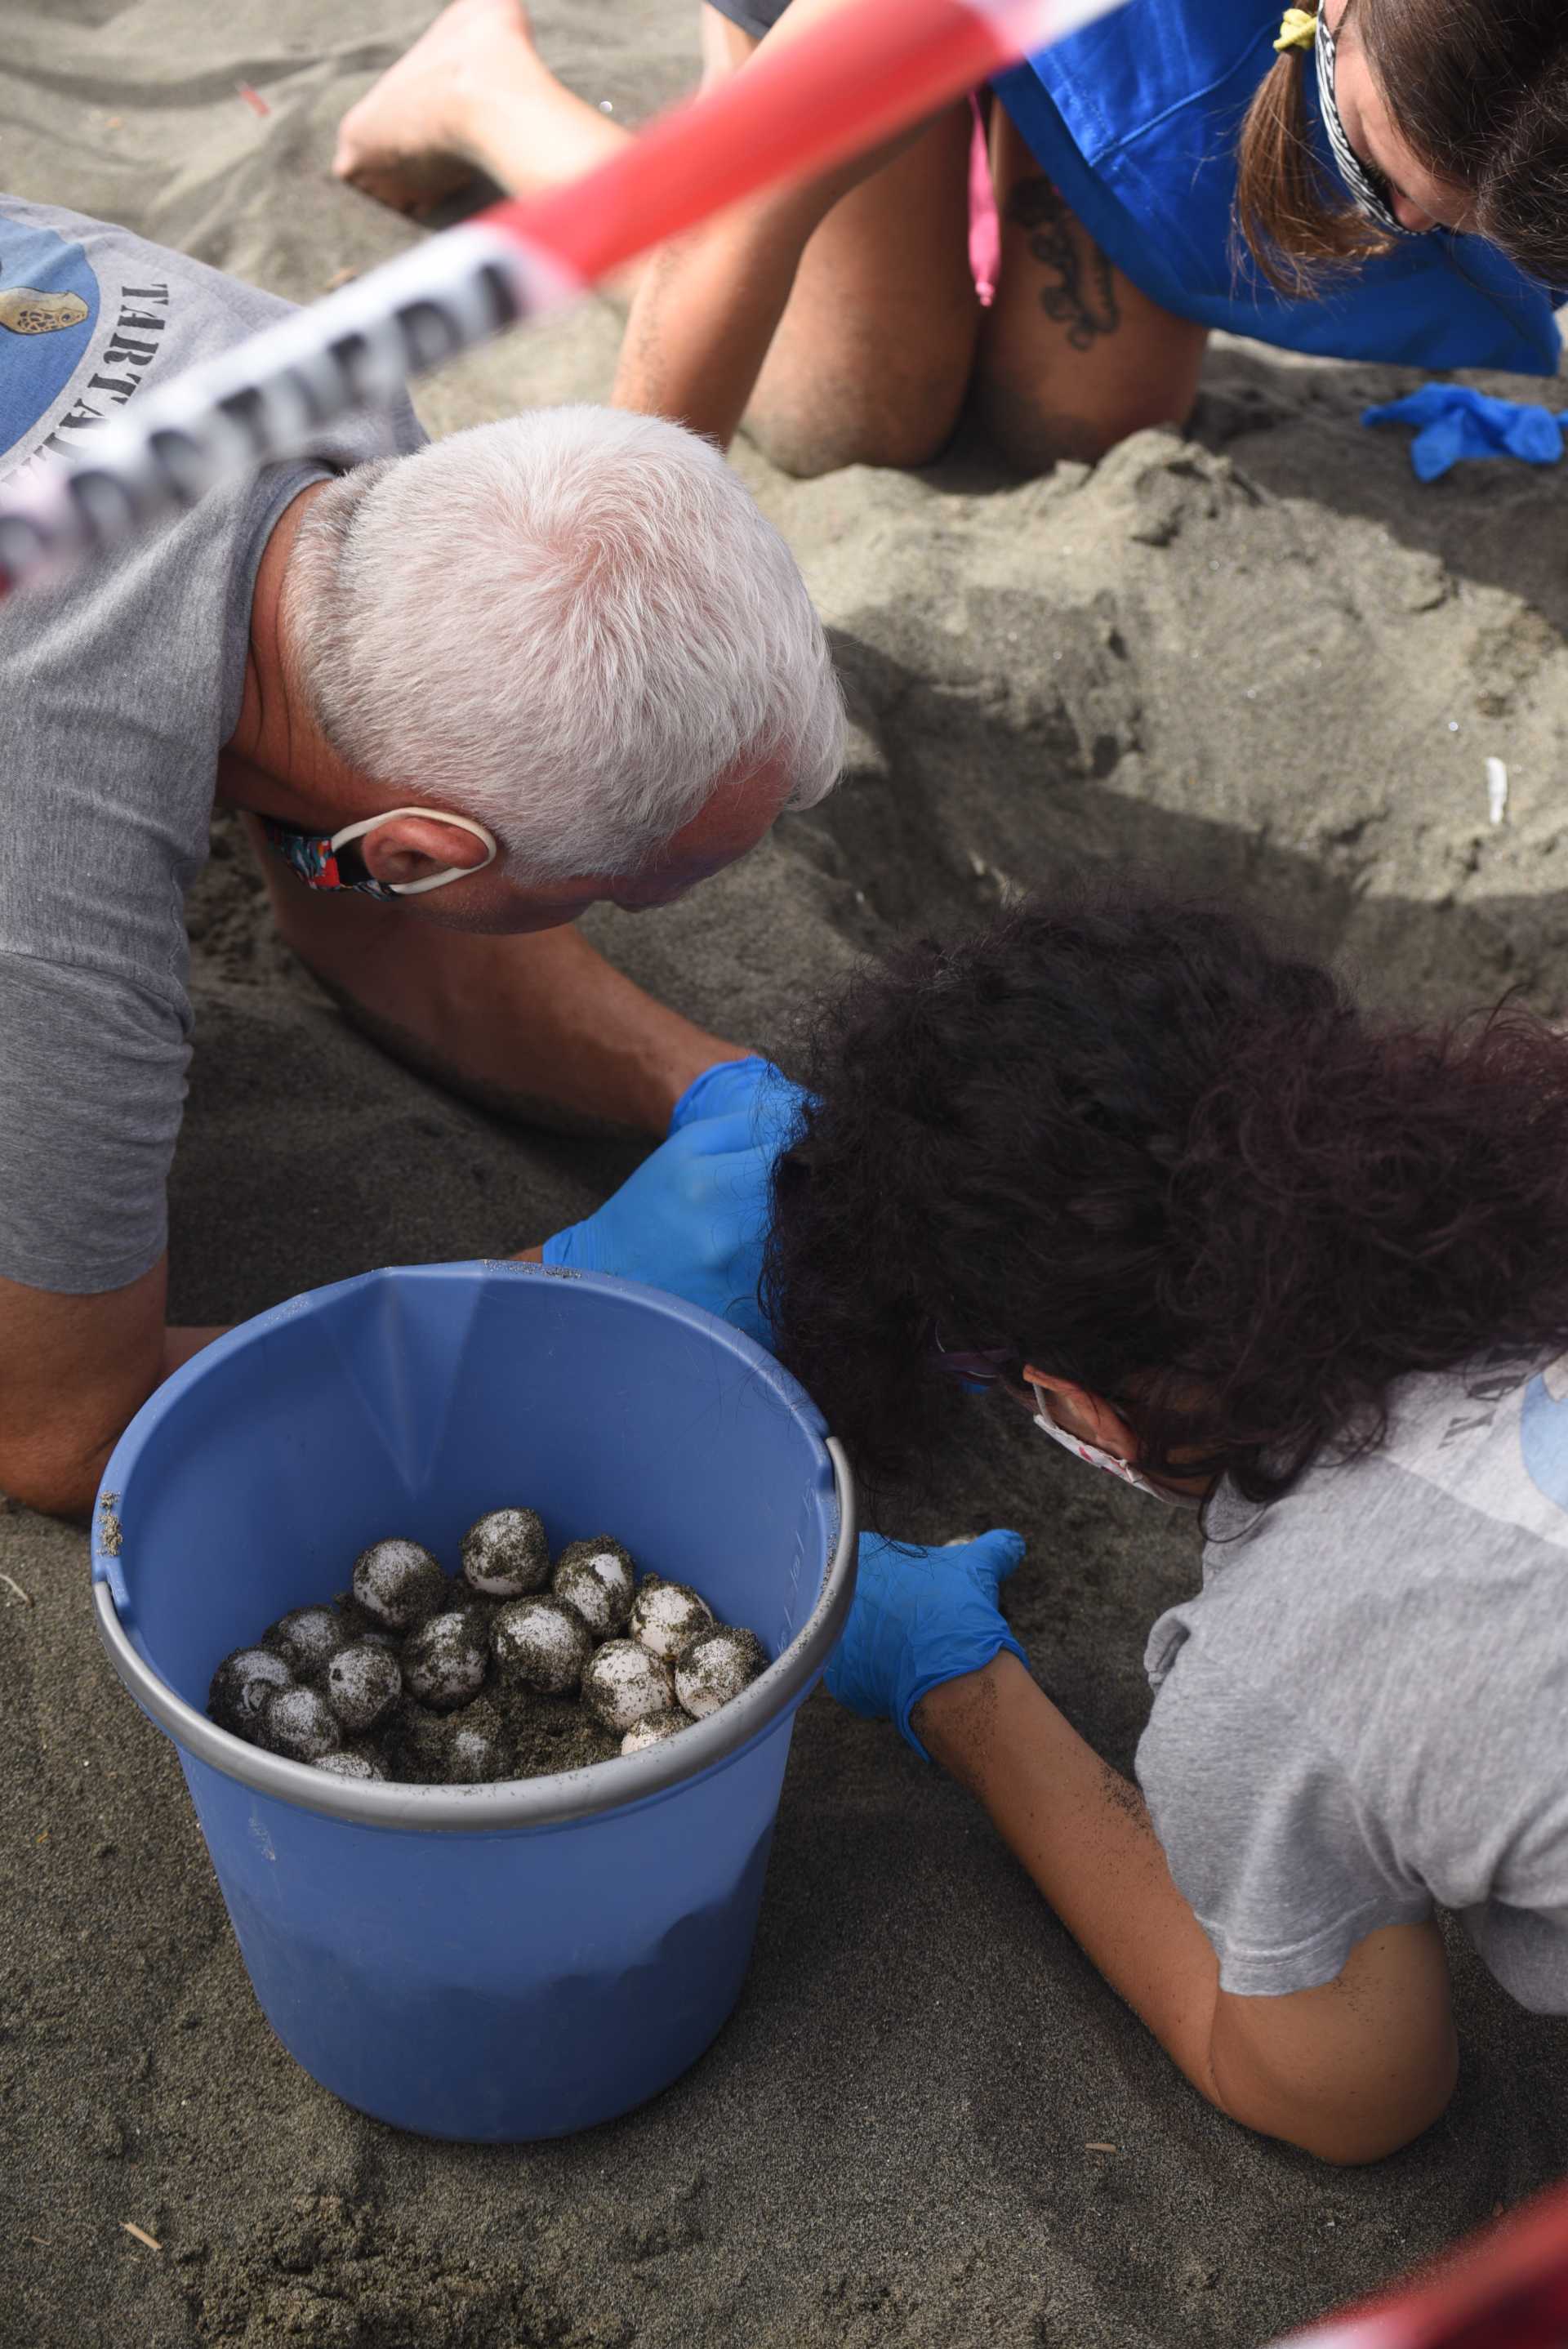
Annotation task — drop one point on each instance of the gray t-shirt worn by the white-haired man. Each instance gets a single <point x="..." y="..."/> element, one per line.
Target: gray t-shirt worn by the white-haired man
<point x="116" y="696"/>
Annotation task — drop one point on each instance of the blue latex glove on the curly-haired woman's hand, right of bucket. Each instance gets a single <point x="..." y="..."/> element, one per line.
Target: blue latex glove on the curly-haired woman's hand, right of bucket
<point x="921" y="1617"/>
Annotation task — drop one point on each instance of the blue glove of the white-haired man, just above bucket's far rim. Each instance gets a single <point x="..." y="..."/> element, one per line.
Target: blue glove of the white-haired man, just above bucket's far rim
<point x="694" y="1216"/>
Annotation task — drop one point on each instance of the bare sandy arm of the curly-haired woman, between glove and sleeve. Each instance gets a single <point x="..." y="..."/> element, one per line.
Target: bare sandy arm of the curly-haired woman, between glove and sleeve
<point x="1349" y="2073"/>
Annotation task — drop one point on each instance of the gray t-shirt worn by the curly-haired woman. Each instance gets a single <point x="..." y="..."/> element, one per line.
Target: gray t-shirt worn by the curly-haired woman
<point x="1367" y="1707"/>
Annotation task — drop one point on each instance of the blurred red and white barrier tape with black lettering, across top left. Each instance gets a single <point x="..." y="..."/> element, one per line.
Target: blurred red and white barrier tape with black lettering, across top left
<point x="834" y="93"/>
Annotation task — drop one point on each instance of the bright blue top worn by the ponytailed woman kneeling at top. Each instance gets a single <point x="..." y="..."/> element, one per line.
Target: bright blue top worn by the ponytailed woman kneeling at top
<point x="1137" y="119"/>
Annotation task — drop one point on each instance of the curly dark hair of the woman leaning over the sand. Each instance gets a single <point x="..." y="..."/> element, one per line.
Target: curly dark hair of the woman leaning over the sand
<point x="1137" y="1147"/>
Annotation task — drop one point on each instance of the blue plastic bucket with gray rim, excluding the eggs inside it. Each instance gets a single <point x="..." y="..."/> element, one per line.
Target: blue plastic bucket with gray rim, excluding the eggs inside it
<point x="501" y="1960"/>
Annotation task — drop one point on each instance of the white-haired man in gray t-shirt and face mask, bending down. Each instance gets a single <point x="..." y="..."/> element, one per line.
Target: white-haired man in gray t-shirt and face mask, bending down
<point x="461" y="689"/>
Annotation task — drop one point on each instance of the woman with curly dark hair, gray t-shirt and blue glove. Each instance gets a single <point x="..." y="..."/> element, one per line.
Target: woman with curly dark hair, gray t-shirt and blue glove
<point x="1304" y="1270"/>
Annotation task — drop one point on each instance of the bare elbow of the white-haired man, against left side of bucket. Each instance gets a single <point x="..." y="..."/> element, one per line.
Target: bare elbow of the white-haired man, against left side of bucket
<point x="74" y="1373"/>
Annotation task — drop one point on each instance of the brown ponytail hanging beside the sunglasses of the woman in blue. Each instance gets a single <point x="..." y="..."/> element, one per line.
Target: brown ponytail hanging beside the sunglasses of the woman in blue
<point x="1285" y="206"/>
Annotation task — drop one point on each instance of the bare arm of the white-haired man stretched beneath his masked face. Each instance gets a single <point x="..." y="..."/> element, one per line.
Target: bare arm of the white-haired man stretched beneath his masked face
<point x="532" y="1028"/>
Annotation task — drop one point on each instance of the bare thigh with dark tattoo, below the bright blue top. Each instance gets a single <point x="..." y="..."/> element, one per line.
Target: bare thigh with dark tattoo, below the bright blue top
<point x="1074" y="356"/>
